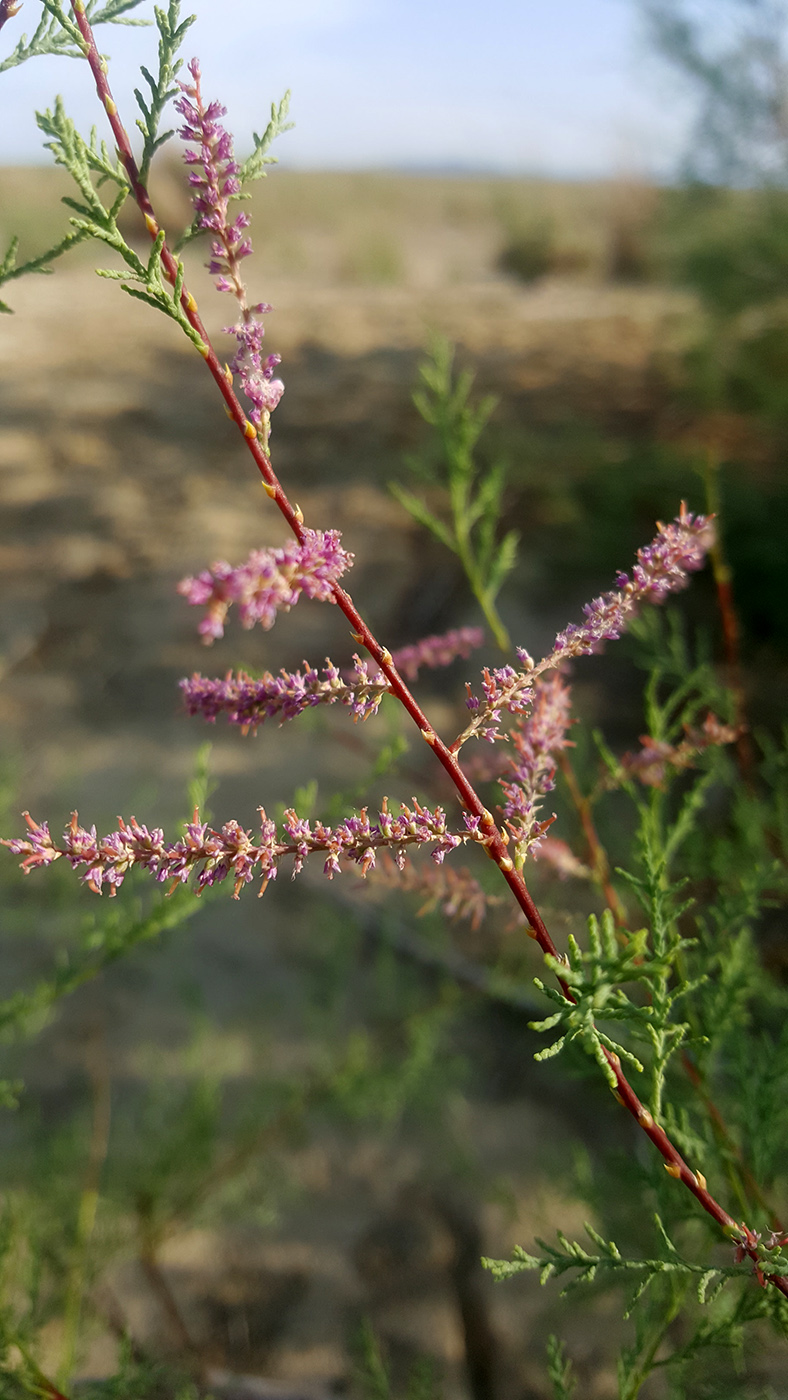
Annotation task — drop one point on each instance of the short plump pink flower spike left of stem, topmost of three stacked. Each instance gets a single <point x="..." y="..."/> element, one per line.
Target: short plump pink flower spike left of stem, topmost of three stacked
<point x="269" y="582"/>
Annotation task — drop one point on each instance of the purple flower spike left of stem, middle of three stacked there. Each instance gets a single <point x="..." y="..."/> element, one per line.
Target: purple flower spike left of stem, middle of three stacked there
<point x="247" y="702"/>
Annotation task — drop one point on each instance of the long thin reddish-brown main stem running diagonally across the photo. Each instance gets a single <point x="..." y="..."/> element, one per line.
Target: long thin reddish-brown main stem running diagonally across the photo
<point x="495" y="842"/>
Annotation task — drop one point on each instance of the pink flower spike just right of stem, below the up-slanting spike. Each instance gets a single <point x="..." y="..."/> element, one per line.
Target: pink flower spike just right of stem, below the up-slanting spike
<point x="538" y="740"/>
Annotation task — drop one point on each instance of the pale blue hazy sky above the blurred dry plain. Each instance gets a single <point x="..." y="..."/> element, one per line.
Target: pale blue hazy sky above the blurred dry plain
<point x="562" y="87"/>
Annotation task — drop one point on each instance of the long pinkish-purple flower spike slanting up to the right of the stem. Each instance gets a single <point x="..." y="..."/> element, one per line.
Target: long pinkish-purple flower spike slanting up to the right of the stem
<point x="663" y="568"/>
